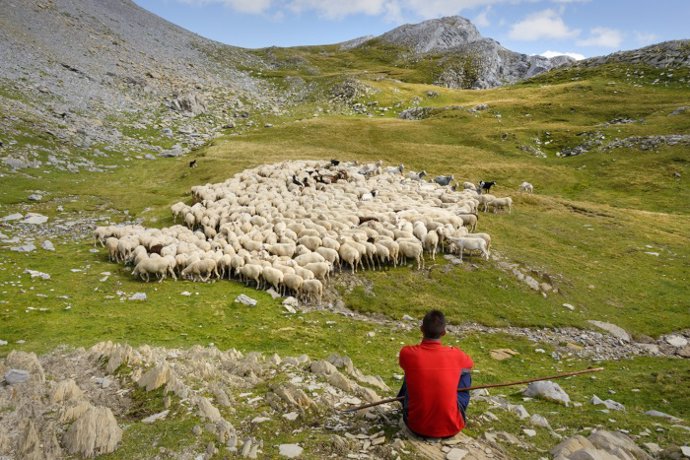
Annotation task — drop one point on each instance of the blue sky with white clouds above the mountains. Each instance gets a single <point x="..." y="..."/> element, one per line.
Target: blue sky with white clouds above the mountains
<point x="580" y="28"/>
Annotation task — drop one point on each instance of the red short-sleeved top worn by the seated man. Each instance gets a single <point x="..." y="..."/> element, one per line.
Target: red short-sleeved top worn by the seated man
<point x="432" y="373"/>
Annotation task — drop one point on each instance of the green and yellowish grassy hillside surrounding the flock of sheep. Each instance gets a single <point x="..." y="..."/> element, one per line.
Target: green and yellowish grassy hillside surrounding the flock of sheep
<point x="607" y="228"/>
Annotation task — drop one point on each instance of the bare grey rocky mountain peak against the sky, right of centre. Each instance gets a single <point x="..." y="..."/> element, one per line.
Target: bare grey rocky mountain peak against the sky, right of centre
<point x="434" y="34"/>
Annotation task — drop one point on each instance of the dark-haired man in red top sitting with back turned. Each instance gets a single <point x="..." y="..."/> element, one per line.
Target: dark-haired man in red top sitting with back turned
<point x="432" y="405"/>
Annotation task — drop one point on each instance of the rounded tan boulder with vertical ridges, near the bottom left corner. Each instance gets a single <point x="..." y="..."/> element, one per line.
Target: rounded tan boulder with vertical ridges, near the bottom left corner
<point x="94" y="433"/>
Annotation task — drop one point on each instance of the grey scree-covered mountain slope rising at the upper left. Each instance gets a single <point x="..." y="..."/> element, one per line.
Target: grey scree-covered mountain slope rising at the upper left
<point x="89" y="73"/>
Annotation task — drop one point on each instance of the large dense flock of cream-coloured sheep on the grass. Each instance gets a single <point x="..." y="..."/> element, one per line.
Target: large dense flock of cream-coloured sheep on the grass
<point x="290" y="225"/>
